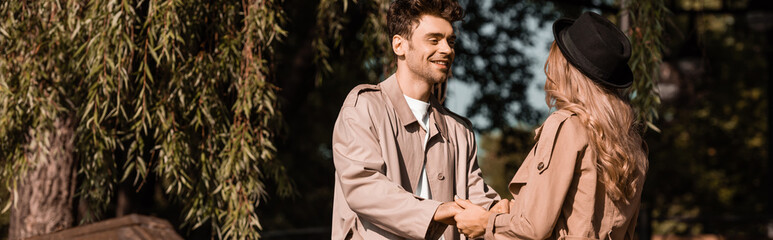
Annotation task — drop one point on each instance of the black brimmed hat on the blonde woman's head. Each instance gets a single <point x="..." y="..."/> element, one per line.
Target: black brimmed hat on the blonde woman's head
<point x="596" y="47"/>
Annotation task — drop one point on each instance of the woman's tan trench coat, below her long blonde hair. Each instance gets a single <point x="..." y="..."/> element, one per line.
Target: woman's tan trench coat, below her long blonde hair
<point x="556" y="194"/>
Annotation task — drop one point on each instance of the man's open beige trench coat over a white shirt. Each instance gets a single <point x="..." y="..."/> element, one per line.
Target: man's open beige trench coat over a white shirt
<point x="378" y="155"/>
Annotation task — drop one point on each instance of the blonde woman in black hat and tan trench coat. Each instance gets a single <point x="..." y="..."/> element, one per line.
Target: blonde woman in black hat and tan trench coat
<point x="583" y="178"/>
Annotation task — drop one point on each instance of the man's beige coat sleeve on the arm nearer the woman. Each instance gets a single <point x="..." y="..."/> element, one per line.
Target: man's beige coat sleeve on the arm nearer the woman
<point x="479" y="193"/>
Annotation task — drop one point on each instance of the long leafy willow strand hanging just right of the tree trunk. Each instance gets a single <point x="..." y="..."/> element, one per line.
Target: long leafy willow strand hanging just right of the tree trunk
<point x="106" y="54"/>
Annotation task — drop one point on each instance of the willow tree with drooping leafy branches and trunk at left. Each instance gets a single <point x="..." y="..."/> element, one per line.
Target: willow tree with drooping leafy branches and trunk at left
<point x="93" y="93"/>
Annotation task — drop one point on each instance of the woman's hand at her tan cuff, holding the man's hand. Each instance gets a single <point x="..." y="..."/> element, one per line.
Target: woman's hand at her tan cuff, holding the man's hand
<point x="472" y="221"/>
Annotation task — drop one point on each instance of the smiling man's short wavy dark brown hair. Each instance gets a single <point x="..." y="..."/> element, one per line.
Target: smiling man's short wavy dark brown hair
<point x="404" y="13"/>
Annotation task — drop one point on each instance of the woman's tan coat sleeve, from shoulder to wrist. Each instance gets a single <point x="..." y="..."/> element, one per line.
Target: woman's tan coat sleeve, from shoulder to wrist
<point x="561" y="145"/>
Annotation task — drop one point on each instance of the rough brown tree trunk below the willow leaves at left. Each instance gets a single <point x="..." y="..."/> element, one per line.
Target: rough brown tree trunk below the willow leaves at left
<point x="45" y="193"/>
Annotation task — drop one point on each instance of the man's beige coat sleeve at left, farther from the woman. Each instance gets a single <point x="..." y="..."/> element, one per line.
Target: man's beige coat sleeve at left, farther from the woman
<point x="367" y="190"/>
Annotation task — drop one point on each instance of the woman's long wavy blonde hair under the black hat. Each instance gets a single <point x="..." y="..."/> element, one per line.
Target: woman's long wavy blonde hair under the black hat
<point x="611" y="124"/>
